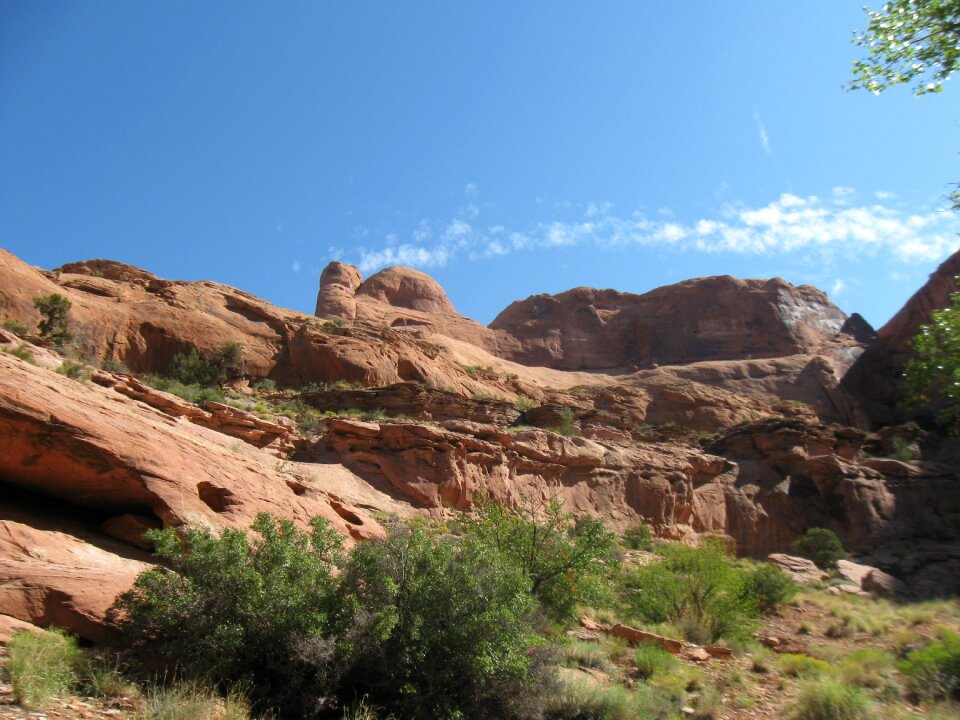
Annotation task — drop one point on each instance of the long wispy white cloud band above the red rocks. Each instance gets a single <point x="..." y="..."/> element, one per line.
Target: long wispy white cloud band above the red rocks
<point x="815" y="228"/>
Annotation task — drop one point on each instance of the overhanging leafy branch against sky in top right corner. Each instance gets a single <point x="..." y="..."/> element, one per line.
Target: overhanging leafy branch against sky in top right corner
<point x="909" y="41"/>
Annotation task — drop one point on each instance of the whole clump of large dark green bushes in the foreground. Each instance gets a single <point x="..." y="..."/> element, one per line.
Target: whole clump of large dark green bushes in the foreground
<point x="429" y="624"/>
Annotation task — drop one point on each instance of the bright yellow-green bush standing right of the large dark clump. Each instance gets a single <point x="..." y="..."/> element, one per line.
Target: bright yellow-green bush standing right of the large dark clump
<point x="698" y="589"/>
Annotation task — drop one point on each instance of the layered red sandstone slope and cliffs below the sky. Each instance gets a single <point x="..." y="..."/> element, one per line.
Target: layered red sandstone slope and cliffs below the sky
<point x="734" y="420"/>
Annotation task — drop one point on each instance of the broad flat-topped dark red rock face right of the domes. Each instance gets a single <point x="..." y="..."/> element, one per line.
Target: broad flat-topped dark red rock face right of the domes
<point x="716" y="318"/>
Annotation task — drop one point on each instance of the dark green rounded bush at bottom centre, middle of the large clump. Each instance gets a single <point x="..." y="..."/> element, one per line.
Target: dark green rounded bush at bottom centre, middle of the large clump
<point x="434" y="627"/>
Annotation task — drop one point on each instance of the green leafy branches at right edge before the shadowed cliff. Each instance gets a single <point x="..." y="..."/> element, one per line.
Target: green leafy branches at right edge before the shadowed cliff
<point x="932" y="375"/>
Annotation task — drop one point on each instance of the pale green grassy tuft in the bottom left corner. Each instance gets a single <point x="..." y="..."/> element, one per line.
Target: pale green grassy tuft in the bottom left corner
<point x="42" y="666"/>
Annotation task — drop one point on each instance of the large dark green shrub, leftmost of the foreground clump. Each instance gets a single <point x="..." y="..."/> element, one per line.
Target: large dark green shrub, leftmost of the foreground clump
<point x="231" y="609"/>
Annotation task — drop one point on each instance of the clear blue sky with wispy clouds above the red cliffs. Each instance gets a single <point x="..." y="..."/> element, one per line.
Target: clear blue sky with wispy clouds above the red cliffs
<point x="505" y="148"/>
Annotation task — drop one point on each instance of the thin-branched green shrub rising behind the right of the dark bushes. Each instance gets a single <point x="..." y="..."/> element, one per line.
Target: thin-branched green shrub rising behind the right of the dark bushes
<point x="557" y="551"/>
